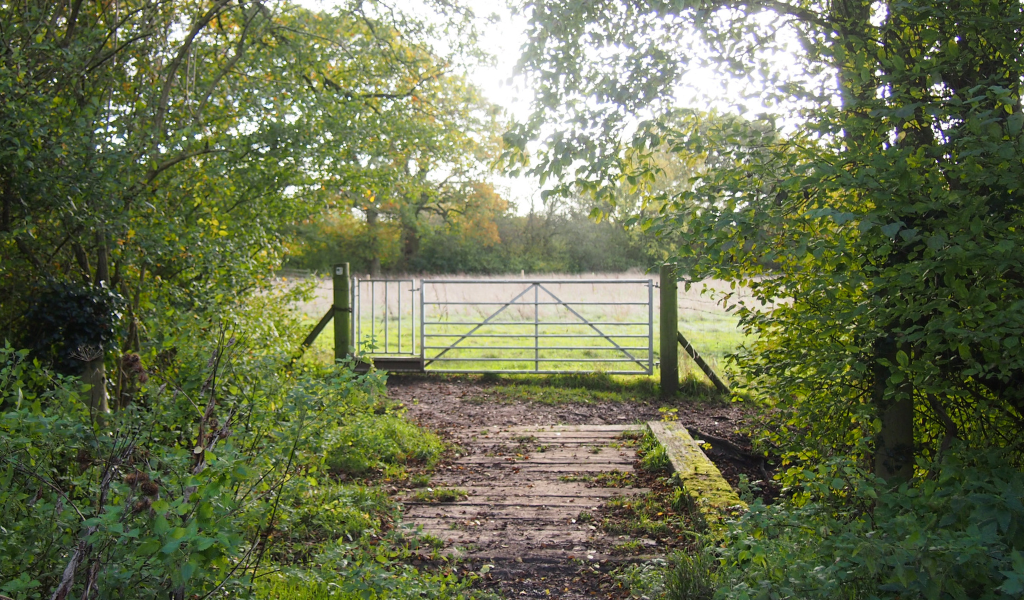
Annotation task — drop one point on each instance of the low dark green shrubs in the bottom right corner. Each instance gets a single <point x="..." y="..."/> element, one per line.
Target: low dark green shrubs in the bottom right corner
<point x="957" y="532"/>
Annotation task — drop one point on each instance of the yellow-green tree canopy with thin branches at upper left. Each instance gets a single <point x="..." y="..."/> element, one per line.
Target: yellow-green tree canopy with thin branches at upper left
<point x="164" y="148"/>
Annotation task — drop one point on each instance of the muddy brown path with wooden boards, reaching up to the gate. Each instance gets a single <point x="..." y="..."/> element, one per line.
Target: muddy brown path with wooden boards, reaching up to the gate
<point x="533" y="508"/>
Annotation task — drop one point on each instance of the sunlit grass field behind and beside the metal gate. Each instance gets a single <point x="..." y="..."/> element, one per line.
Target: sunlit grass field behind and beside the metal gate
<point x="472" y="315"/>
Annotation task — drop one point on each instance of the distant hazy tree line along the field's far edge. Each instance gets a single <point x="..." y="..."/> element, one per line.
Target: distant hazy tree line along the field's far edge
<point x="547" y="241"/>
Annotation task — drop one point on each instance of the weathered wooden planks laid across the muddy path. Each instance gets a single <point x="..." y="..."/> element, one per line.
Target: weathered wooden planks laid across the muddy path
<point x="531" y="512"/>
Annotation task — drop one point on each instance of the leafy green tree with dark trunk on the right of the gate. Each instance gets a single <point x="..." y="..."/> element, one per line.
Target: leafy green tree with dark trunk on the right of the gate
<point x="875" y="206"/>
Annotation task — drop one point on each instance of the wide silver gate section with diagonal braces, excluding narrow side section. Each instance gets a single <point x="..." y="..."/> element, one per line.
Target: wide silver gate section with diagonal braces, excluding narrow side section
<point x="538" y="326"/>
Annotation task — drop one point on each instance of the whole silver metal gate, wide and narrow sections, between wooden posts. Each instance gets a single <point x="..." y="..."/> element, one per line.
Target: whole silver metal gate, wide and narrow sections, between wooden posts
<point x="506" y="326"/>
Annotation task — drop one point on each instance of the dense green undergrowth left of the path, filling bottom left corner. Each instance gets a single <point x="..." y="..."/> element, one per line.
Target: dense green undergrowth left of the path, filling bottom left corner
<point x="215" y="475"/>
